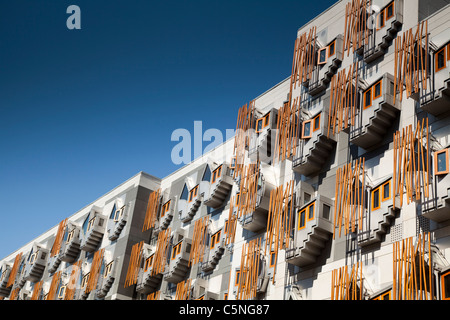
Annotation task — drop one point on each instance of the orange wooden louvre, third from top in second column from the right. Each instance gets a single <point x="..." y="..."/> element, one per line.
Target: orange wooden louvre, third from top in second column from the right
<point x="349" y="197"/>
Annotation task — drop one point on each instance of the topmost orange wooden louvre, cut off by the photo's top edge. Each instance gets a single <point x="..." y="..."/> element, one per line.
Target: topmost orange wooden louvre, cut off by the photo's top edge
<point x="356" y="28"/>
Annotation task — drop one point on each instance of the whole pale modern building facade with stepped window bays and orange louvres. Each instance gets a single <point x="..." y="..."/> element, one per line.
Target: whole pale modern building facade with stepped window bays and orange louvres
<point x="335" y="186"/>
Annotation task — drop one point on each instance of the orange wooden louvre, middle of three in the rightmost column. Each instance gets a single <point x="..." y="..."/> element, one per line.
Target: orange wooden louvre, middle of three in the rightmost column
<point x="411" y="163"/>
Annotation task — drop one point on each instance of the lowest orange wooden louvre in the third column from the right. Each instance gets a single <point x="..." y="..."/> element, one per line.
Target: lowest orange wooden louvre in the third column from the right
<point x="280" y="219"/>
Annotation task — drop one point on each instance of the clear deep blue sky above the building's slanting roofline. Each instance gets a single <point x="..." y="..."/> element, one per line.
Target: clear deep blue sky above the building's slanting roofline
<point x="84" y="110"/>
